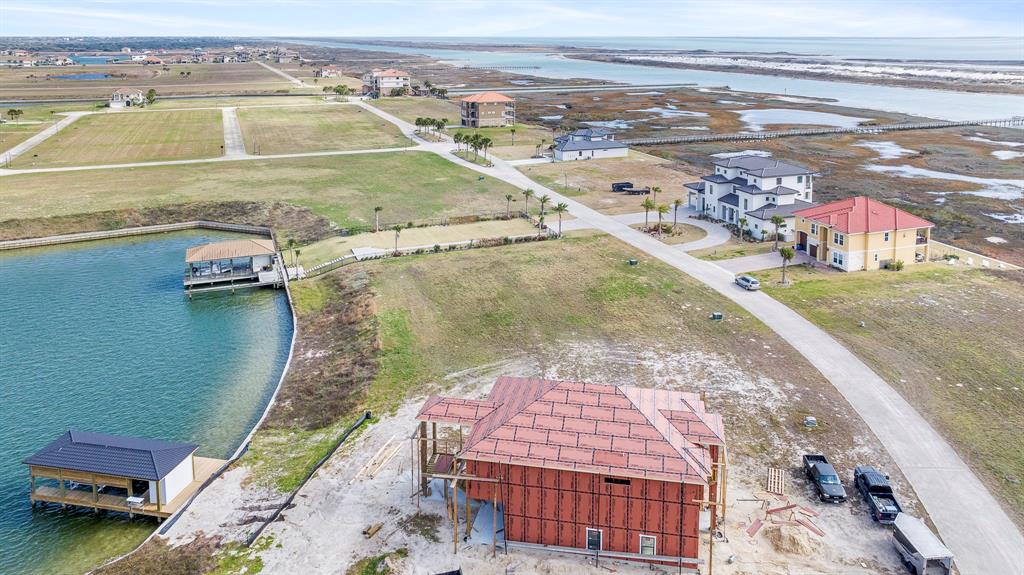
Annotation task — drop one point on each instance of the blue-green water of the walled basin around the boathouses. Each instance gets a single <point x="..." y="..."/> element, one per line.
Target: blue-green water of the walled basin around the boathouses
<point x="101" y="337"/>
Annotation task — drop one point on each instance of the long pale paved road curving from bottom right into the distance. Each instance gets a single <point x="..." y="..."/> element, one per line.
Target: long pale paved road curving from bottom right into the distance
<point x="969" y="519"/>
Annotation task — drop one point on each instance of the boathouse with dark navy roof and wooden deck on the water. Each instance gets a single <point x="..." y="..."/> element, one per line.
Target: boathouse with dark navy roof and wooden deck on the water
<point x="132" y="475"/>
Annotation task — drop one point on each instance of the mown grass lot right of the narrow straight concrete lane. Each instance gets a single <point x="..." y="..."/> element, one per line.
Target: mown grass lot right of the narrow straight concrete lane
<point x="286" y="130"/>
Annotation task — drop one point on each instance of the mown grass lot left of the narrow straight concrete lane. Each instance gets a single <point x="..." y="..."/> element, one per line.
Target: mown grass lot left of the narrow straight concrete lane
<point x="118" y="139"/>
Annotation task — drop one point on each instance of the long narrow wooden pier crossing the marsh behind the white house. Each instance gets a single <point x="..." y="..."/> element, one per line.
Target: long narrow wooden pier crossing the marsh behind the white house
<point x="1016" y="121"/>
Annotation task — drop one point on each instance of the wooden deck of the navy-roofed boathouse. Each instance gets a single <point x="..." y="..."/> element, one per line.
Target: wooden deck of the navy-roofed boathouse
<point x="205" y="468"/>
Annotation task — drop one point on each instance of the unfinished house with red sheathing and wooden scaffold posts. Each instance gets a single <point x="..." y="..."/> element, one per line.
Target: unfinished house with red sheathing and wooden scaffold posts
<point x="609" y="471"/>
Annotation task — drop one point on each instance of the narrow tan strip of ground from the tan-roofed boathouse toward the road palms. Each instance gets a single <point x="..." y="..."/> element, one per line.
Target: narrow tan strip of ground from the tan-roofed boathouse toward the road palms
<point x="332" y="248"/>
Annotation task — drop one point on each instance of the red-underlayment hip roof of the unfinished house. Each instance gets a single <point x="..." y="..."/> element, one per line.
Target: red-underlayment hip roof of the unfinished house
<point x="614" y="430"/>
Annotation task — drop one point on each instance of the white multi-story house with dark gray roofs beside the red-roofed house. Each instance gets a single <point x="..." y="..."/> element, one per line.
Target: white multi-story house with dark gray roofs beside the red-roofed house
<point x="754" y="189"/>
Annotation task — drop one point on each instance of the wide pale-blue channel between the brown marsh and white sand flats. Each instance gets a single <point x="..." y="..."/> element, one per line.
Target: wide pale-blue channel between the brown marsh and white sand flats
<point x="944" y="105"/>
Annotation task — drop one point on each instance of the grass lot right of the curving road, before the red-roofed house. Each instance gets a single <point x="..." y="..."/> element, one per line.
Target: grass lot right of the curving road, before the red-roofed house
<point x="950" y="340"/>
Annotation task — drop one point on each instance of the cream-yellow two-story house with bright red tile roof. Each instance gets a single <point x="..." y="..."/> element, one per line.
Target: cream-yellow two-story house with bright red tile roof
<point x="862" y="234"/>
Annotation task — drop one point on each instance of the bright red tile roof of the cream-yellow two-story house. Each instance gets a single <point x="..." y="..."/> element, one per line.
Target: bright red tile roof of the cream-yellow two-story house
<point x="862" y="214"/>
